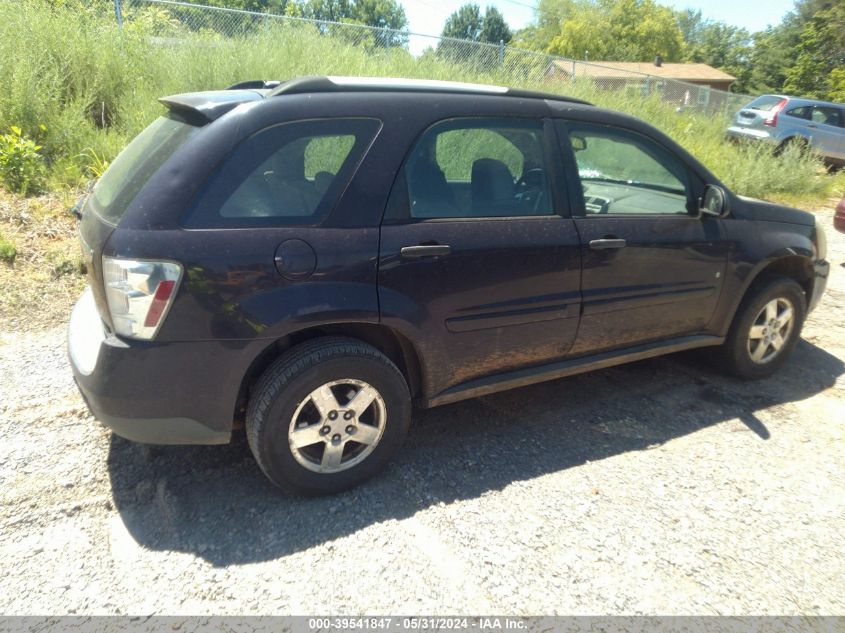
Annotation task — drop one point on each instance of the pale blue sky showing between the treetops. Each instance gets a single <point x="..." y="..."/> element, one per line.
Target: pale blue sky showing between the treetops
<point x="428" y="16"/>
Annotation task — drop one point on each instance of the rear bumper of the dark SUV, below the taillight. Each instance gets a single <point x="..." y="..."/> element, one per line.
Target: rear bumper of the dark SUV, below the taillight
<point x="168" y="393"/>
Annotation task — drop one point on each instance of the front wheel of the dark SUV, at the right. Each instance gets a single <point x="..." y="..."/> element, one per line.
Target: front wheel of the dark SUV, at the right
<point x="765" y="329"/>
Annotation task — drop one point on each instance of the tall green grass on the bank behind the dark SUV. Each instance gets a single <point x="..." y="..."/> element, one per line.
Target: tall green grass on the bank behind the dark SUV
<point x="94" y="87"/>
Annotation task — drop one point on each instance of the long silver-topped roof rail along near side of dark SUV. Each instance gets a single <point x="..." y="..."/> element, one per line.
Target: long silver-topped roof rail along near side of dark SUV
<point x="322" y="83"/>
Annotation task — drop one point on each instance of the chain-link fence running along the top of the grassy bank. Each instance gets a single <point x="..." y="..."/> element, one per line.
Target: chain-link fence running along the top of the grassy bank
<point x="171" y="22"/>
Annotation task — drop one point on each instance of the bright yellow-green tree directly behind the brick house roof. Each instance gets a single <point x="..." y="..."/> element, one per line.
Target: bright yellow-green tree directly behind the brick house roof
<point x="633" y="30"/>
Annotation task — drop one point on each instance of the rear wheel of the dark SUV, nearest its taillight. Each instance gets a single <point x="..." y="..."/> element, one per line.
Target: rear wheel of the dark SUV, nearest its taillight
<point x="327" y="416"/>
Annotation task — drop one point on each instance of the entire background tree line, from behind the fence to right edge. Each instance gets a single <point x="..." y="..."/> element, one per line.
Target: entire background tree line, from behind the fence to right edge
<point x="803" y="55"/>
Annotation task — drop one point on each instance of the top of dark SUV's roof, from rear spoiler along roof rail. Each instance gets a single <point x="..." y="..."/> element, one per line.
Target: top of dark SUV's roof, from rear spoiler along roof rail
<point x="213" y="104"/>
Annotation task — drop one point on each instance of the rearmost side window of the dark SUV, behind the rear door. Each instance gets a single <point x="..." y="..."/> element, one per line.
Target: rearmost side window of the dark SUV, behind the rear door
<point x="289" y="174"/>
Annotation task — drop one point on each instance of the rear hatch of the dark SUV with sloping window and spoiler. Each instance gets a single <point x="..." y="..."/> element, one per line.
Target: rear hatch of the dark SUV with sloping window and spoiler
<point x="105" y="206"/>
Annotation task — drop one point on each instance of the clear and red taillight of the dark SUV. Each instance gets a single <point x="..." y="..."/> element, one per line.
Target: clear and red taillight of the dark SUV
<point x="139" y="294"/>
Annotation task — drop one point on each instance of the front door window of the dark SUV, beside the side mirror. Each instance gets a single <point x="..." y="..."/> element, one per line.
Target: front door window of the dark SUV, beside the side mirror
<point x="624" y="173"/>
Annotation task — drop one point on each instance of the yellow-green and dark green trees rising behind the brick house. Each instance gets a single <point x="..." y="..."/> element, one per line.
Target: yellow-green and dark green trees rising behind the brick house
<point x="803" y="55"/>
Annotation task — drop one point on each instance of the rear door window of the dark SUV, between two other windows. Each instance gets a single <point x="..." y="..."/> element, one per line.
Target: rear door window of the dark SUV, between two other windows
<point x="472" y="168"/>
